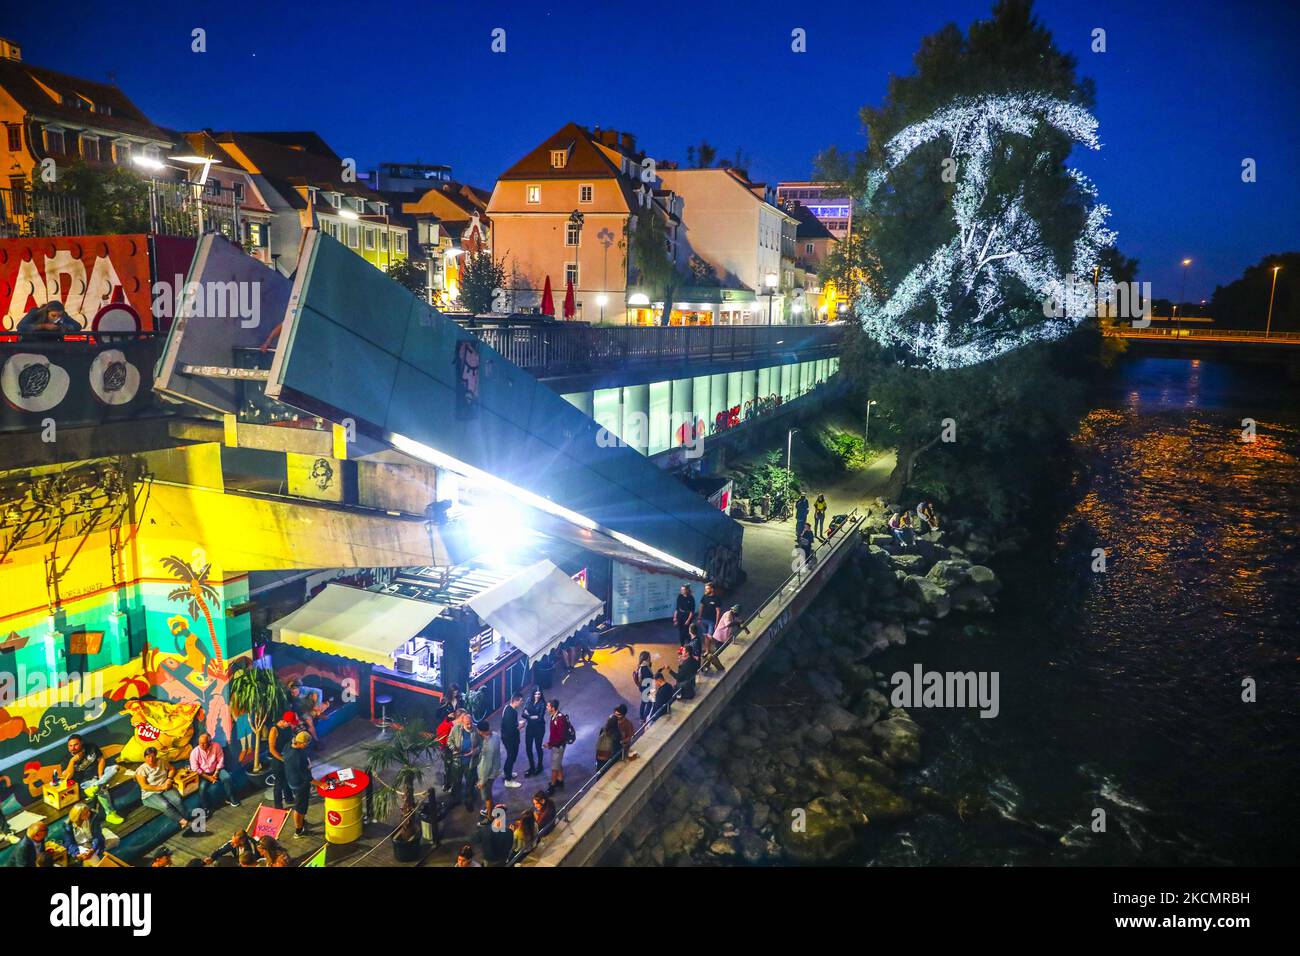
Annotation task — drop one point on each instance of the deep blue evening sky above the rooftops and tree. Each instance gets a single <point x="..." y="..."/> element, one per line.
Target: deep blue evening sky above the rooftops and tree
<point x="1185" y="92"/>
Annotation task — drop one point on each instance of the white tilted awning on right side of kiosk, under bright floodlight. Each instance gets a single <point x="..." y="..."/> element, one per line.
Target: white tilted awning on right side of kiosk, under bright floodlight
<point x="538" y="609"/>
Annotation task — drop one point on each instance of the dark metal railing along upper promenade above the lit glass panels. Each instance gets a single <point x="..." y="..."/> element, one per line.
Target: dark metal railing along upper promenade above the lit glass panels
<point x="569" y="349"/>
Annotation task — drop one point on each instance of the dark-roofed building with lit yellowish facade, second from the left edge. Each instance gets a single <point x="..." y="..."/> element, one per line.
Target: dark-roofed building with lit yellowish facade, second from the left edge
<point x="304" y="181"/>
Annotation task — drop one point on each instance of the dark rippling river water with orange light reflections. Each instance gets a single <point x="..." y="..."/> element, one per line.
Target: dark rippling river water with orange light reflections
<point x="1123" y="690"/>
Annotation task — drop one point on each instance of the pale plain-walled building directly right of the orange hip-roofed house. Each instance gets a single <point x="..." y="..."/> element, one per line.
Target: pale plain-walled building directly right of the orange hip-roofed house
<point x="739" y="230"/>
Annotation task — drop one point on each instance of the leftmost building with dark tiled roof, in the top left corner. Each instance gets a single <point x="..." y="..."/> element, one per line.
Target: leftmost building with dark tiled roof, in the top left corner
<point x="55" y="116"/>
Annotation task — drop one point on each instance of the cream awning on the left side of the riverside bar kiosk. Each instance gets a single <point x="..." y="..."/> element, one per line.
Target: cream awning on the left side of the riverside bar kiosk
<point x="362" y="625"/>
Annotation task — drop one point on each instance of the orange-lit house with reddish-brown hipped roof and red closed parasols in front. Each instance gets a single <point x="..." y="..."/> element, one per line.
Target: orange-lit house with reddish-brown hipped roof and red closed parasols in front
<point x="564" y="214"/>
